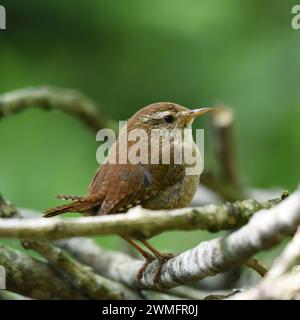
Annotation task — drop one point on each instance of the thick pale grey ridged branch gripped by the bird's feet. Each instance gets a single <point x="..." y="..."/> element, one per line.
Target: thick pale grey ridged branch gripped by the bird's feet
<point x="263" y="231"/>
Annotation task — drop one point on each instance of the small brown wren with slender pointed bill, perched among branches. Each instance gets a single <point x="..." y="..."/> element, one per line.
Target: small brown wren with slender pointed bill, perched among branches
<point x="118" y="186"/>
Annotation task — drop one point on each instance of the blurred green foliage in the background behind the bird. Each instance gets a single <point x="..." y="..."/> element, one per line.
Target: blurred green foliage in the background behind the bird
<point x="129" y="54"/>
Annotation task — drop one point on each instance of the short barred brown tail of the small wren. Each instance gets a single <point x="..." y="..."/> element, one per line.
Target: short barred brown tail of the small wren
<point x="80" y="204"/>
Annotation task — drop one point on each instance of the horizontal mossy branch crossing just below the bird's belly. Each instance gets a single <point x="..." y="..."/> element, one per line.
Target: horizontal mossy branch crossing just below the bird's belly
<point x="138" y="222"/>
